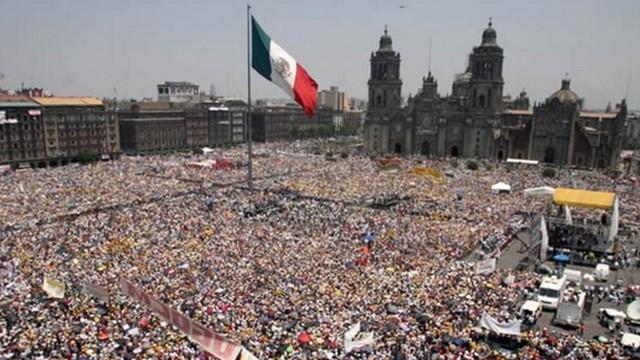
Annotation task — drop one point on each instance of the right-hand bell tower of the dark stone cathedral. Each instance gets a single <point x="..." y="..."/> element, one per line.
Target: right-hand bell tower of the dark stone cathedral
<point x="486" y="83"/>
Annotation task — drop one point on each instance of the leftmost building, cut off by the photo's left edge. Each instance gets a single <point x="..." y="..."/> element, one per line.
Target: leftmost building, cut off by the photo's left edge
<point x="21" y="132"/>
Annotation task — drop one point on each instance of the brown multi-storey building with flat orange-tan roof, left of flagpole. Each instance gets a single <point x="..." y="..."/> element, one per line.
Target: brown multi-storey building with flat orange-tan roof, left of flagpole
<point x="75" y="125"/>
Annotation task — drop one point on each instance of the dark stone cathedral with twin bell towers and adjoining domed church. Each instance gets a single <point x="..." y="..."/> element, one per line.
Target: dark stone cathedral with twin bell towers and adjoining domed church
<point x="478" y="121"/>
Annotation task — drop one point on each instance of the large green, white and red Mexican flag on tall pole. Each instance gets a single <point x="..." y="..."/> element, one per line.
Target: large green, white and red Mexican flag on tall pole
<point x="276" y="65"/>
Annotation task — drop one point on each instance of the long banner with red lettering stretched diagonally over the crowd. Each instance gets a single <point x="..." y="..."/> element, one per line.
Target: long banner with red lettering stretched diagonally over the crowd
<point x="213" y="343"/>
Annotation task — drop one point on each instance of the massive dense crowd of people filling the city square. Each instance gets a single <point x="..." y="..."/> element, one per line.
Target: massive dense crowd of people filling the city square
<point x="286" y="281"/>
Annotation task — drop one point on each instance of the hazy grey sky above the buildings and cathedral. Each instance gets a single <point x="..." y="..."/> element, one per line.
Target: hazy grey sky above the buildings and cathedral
<point x="89" y="47"/>
